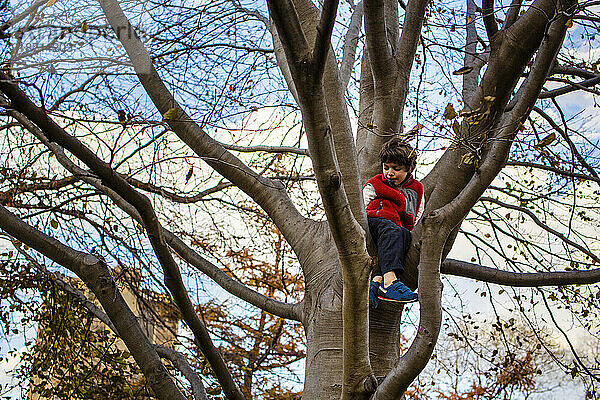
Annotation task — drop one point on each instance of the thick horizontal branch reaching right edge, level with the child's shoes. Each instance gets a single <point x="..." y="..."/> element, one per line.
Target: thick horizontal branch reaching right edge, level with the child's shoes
<point x="519" y="279"/>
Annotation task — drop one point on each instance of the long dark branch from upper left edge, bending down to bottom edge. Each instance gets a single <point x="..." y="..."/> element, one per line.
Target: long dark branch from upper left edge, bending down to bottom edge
<point x="142" y="204"/>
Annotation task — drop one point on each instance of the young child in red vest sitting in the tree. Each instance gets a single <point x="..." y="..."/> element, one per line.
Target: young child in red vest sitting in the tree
<point x="393" y="199"/>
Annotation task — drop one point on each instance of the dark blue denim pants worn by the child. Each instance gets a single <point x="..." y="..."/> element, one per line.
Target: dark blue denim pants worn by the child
<point x="392" y="242"/>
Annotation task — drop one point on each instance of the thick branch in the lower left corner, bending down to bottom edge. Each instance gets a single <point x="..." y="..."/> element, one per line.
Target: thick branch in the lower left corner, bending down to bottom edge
<point x="96" y="275"/>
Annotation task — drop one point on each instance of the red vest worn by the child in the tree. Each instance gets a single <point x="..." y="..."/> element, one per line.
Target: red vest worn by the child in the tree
<point x="398" y="204"/>
